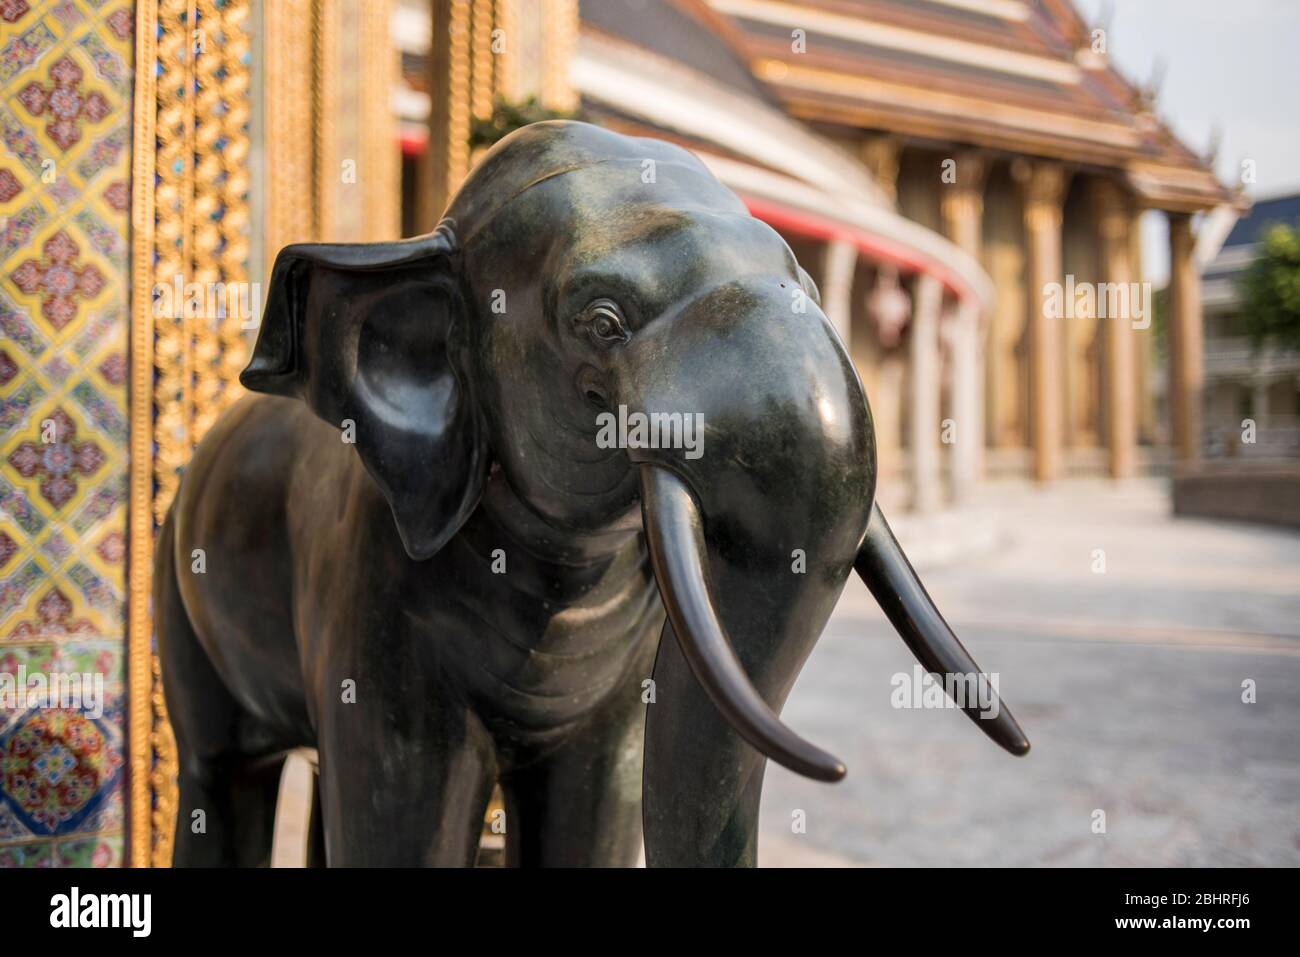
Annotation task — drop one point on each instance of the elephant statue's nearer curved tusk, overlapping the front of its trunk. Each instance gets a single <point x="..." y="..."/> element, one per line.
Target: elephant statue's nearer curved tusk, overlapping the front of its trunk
<point x="675" y="535"/>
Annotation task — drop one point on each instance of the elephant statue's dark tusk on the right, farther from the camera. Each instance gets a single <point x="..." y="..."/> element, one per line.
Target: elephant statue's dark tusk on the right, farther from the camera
<point x="892" y="581"/>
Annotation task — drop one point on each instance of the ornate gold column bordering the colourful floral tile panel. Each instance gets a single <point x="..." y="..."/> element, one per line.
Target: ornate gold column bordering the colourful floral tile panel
<point x="190" y="253"/>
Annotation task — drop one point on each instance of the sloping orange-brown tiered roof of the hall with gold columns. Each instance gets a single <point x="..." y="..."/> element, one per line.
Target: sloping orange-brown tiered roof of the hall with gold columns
<point x="1019" y="76"/>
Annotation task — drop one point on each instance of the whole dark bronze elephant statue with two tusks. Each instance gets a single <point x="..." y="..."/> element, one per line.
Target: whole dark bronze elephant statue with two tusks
<point x="560" y="496"/>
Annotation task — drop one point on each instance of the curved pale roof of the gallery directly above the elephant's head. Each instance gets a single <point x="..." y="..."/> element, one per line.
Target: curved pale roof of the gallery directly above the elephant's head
<point x="786" y="172"/>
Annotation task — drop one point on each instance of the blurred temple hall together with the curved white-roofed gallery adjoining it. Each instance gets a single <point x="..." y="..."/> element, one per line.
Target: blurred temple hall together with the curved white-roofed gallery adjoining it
<point x="965" y="181"/>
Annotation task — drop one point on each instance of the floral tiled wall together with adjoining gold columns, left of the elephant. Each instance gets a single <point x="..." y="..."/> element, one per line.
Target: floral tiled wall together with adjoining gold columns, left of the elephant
<point x="85" y="473"/>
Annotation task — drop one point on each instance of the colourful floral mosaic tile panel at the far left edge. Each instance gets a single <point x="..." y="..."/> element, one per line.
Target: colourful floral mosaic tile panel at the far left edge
<point x="66" y="114"/>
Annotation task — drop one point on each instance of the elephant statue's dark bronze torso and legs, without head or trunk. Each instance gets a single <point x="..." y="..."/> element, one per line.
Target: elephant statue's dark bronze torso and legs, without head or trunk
<point x="502" y="670"/>
